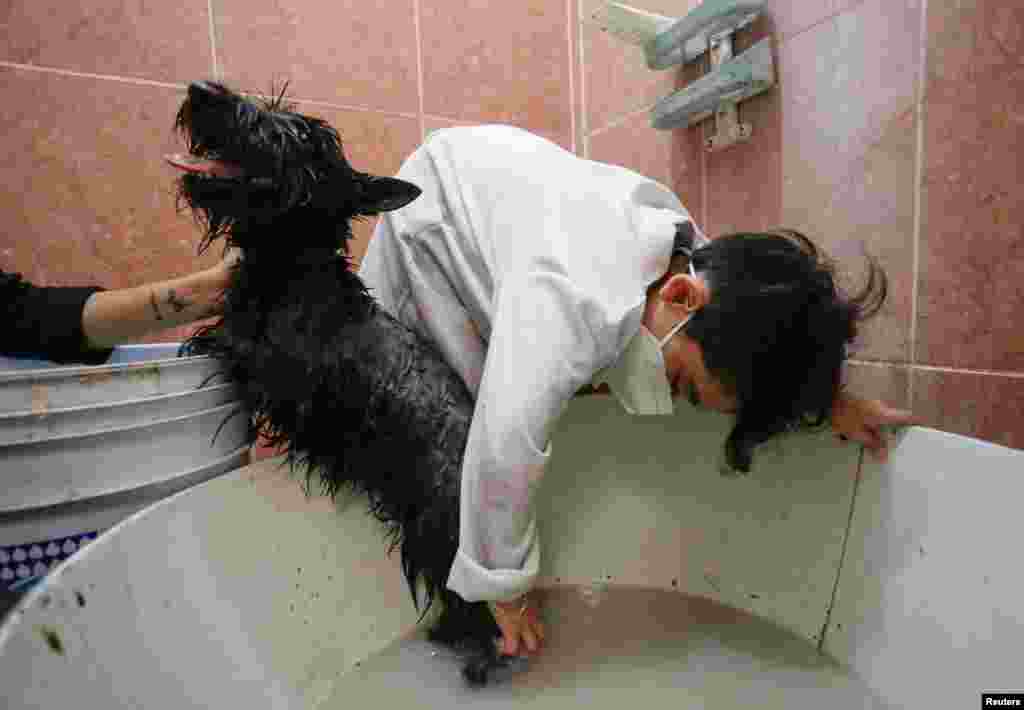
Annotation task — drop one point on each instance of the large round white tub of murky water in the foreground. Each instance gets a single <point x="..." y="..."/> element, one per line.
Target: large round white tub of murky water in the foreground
<point x="665" y="586"/>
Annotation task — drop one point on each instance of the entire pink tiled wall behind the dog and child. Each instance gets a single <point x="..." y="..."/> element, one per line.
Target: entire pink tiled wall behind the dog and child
<point x="897" y="124"/>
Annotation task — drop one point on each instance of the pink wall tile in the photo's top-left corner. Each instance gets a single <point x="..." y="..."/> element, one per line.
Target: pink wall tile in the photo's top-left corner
<point x="164" y="41"/>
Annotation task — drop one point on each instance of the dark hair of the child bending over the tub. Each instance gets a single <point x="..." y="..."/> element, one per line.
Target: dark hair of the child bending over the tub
<point x="776" y="330"/>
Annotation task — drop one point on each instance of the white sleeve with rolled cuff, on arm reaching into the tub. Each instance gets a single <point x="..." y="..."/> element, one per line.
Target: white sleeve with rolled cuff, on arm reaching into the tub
<point x="538" y="357"/>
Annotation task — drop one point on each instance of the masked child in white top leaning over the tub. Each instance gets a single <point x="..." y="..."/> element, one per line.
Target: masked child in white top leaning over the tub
<point x="539" y="273"/>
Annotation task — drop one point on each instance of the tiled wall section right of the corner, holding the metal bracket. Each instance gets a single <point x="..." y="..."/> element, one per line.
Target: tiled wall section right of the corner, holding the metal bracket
<point x="897" y="127"/>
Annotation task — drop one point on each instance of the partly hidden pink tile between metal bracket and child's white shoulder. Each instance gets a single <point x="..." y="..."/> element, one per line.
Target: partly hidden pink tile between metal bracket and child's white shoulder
<point x="672" y="158"/>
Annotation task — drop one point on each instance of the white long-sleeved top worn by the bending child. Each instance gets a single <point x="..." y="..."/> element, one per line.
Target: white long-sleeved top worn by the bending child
<point x="529" y="268"/>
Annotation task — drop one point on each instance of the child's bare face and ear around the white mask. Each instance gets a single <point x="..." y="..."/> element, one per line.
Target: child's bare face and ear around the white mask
<point x="677" y="299"/>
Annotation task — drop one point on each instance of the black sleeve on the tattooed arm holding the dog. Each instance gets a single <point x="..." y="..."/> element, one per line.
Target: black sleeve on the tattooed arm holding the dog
<point x="46" y="322"/>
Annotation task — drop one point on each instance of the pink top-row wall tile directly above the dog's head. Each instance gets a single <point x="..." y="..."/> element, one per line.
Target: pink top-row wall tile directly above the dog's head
<point x="349" y="53"/>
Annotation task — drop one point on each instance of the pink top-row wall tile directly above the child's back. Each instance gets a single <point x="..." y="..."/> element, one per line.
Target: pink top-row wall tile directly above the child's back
<point x="506" y="63"/>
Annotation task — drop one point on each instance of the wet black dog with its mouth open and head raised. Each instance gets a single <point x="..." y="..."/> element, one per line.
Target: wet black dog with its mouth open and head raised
<point x="356" y="398"/>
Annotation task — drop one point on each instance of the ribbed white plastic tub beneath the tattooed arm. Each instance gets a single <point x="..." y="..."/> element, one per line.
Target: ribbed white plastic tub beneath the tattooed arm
<point x="84" y="447"/>
